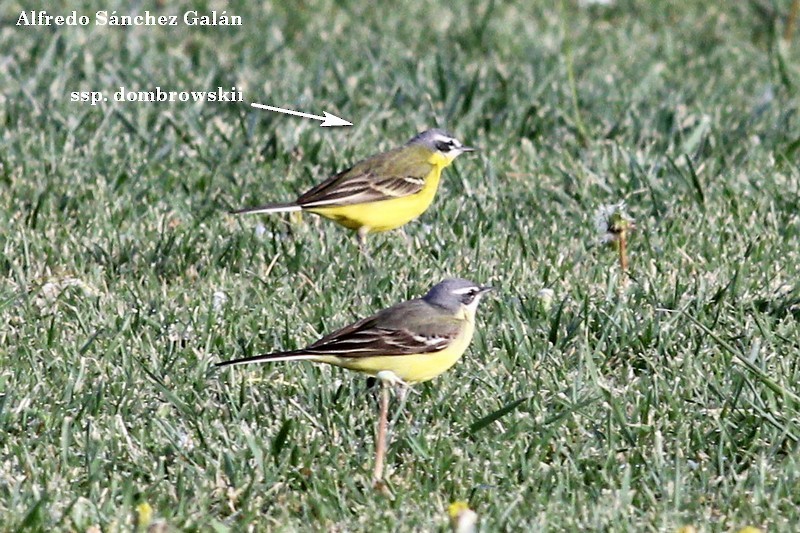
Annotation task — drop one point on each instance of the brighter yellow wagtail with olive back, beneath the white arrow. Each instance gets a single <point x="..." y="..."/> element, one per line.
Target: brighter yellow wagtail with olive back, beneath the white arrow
<point x="382" y="192"/>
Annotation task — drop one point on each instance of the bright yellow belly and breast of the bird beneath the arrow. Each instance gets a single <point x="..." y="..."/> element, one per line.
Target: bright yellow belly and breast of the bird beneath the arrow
<point x="383" y="215"/>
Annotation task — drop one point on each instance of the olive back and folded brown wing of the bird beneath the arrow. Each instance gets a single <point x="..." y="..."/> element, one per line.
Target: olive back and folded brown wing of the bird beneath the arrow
<point x="381" y="177"/>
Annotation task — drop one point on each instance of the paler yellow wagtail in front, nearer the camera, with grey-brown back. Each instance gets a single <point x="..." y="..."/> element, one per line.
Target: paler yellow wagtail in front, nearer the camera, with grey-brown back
<point x="409" y="342"/>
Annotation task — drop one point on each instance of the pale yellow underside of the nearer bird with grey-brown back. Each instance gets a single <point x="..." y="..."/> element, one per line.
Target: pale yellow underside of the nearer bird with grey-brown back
<point x="410" y="368"/>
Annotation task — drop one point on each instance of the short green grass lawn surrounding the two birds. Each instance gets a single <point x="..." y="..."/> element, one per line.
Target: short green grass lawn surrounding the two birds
<point x="669" y="400"/>
